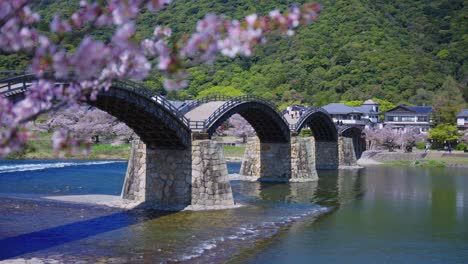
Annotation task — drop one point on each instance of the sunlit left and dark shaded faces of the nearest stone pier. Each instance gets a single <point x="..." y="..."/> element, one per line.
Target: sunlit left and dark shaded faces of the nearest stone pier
<point x="158" y="178"/>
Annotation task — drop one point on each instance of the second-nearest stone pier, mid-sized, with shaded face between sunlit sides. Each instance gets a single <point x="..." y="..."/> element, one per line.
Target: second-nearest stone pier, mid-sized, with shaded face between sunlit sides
<point x="280" y="161"/>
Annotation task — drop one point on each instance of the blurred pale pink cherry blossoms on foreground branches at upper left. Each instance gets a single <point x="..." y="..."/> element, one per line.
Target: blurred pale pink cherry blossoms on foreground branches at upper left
<point x="95" y="64"/>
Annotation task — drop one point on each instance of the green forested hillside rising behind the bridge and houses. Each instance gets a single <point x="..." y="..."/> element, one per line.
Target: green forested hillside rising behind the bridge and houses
<point x="401" y="51"/>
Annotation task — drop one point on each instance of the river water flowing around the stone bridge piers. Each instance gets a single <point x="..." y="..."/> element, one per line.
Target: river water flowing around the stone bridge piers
<point x="376" y="214"/>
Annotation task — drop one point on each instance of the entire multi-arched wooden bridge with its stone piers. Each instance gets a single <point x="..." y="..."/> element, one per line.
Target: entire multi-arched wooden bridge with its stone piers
<point x="175" y="164"/>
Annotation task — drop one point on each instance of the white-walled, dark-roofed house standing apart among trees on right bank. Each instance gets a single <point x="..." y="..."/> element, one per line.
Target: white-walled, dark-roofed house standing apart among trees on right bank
<point x="404" y="118"/>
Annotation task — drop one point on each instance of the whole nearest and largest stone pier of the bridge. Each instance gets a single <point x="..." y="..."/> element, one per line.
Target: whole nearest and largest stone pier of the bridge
<point x="169" y="179"/>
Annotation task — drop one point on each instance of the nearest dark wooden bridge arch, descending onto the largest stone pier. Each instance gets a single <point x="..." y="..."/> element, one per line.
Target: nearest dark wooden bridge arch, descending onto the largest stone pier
<point x="153" y="119"/>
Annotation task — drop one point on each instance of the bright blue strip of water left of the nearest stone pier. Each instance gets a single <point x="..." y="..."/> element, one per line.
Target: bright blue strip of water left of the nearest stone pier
<point x="59" y="177"/>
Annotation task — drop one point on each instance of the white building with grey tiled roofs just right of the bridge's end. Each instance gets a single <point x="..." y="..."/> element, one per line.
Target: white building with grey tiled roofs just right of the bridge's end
<point x="365" y="115"/>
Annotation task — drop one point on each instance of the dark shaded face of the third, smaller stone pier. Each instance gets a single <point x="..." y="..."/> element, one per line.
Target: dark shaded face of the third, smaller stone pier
<point x="326" y="155"/>
